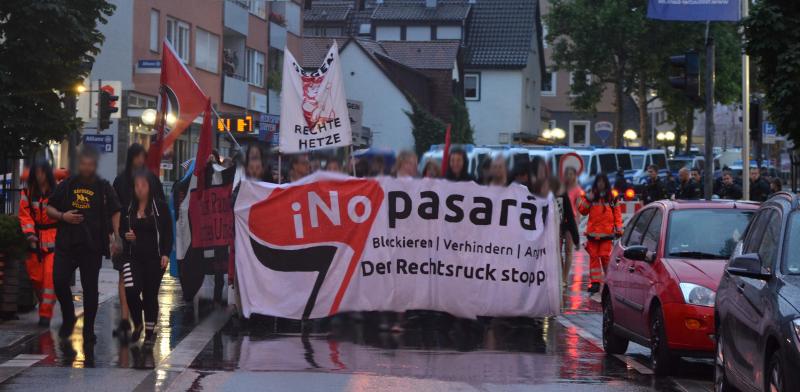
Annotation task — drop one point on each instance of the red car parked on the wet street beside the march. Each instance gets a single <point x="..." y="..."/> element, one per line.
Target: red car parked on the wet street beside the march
<point x="663" y="276"/>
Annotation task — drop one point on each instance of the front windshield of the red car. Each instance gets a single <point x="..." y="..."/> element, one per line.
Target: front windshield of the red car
<point x="705" y="234"/>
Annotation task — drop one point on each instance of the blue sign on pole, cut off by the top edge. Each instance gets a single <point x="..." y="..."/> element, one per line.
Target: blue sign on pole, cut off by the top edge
<point x="695" y="11"/>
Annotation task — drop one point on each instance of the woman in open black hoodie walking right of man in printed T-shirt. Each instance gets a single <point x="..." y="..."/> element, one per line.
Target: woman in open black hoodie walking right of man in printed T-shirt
<point x="147" y="230"/>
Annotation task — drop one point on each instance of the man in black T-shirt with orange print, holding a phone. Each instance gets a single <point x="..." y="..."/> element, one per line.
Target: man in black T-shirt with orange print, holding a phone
<point x="87" y="211"/>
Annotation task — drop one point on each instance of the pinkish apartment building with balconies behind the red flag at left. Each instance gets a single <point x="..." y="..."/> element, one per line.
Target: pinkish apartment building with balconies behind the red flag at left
<point x="230" y="47"/>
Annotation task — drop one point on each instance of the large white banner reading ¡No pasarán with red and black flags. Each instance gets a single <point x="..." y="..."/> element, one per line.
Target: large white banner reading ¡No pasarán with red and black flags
<point x="330" y="243"/>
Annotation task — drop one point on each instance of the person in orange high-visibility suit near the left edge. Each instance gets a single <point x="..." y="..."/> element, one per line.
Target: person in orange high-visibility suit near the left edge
<point x="40" y="230"/>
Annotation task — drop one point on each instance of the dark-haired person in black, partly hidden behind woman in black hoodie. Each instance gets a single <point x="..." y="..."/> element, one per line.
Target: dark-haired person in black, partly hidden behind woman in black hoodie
<point x="123" y="185"/>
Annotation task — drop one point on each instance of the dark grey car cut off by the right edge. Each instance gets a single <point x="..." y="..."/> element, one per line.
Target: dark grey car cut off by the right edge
<point x="758" y="304"/>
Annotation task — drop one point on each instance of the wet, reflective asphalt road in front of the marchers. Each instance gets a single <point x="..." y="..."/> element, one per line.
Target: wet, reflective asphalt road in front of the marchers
<point x="201" y="348"/>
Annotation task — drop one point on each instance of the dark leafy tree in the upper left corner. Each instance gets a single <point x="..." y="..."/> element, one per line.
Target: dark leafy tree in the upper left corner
<point x="47" y="48"/>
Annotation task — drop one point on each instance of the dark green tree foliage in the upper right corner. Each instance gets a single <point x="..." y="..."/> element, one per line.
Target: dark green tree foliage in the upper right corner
<point x="773" y="40"/>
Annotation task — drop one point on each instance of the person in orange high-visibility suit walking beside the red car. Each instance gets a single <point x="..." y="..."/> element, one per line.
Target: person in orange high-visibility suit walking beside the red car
<point x="604" y="224"/>
